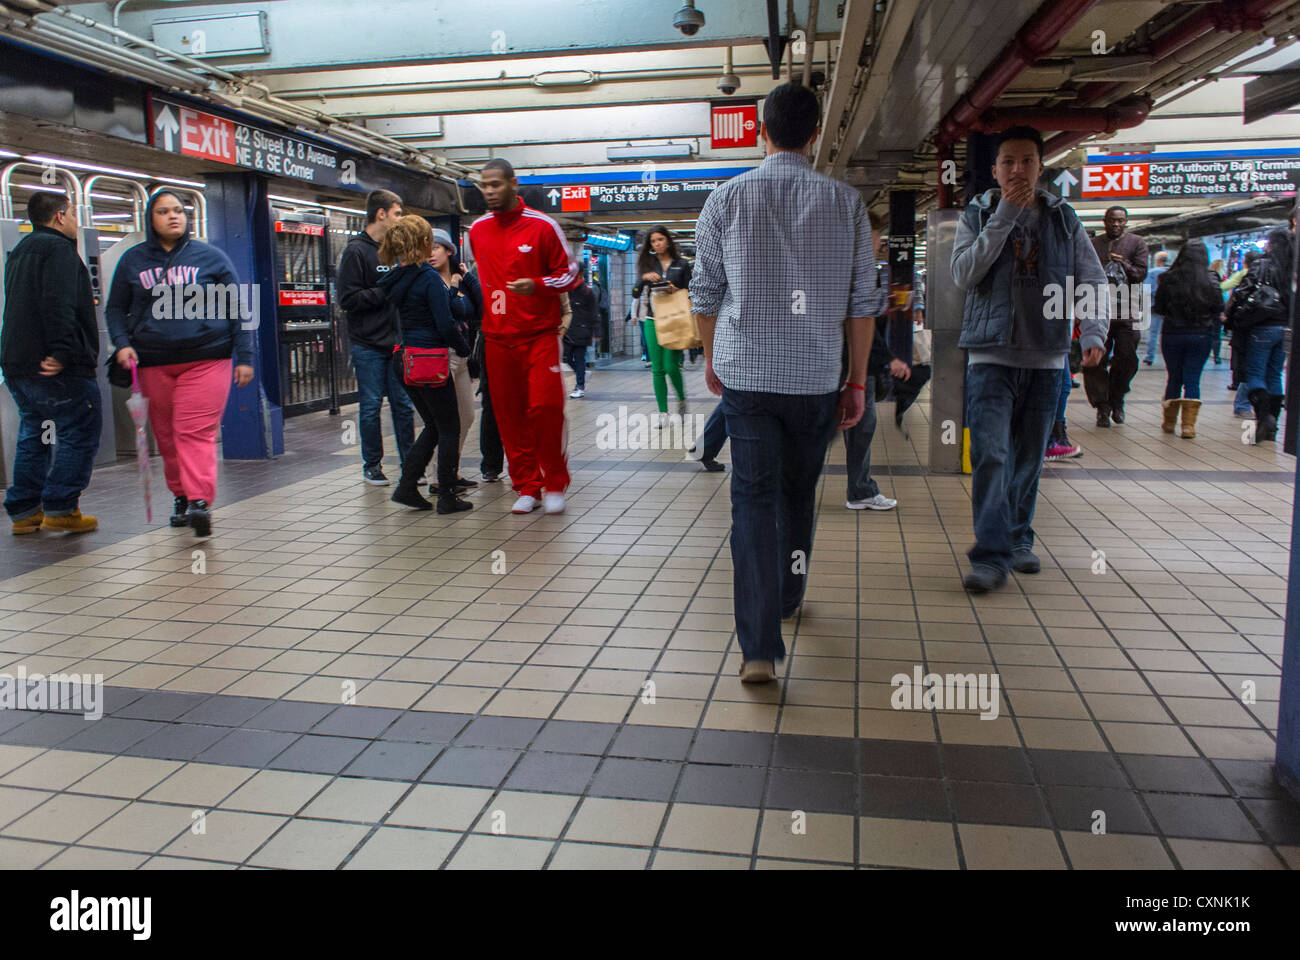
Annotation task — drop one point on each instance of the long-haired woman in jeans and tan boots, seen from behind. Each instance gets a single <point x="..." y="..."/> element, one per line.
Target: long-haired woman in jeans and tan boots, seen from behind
<point x="1190" y="301"/>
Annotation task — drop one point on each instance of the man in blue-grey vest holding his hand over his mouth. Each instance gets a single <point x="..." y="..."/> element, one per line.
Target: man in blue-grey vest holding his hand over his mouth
<point x="1015" y="249"/>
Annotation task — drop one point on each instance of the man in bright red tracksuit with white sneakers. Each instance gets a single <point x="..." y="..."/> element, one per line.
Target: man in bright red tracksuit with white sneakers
<point x="525" y="266"/>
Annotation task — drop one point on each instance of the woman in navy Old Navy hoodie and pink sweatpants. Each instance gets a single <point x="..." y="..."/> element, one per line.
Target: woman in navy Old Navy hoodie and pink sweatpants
<point x="172" y="313"/>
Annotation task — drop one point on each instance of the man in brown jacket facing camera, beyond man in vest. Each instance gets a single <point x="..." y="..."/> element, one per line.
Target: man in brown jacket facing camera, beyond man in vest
<point x="1108" y="383"/>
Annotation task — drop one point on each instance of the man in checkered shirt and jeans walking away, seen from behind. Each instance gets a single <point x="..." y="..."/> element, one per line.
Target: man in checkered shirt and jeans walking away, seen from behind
<point x="785" y="265"/>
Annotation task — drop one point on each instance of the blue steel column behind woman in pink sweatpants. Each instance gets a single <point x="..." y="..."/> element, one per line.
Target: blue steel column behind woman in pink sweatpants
<point x="253" y="427"/>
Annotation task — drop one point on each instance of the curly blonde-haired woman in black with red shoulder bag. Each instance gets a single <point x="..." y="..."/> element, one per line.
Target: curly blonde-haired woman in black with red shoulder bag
<point x="424" y="321"/>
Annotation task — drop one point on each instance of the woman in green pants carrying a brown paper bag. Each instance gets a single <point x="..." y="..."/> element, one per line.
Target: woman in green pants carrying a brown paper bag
<point x="665" y="279"/>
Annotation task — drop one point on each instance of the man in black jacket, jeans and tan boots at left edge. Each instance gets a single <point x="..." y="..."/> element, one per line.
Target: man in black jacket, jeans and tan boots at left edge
<point x="49" y="354"/>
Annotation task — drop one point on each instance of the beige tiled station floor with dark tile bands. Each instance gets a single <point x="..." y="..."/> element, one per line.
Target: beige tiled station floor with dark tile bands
<point x="336" y="682"/>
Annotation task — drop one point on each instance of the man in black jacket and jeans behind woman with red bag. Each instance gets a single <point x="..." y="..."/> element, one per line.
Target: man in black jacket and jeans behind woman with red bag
<point x="372" y="328"/>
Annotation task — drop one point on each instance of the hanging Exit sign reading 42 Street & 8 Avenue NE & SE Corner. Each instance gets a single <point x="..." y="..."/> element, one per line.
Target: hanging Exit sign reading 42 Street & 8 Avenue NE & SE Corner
<point x="179" y="128"/>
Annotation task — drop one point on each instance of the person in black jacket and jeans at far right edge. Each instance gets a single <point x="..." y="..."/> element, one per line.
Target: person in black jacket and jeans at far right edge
<point x="1260" y="310"/>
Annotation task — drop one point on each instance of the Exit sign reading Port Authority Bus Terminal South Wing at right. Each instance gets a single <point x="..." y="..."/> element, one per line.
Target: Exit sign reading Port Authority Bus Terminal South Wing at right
<point x="1182" y="178"/>
